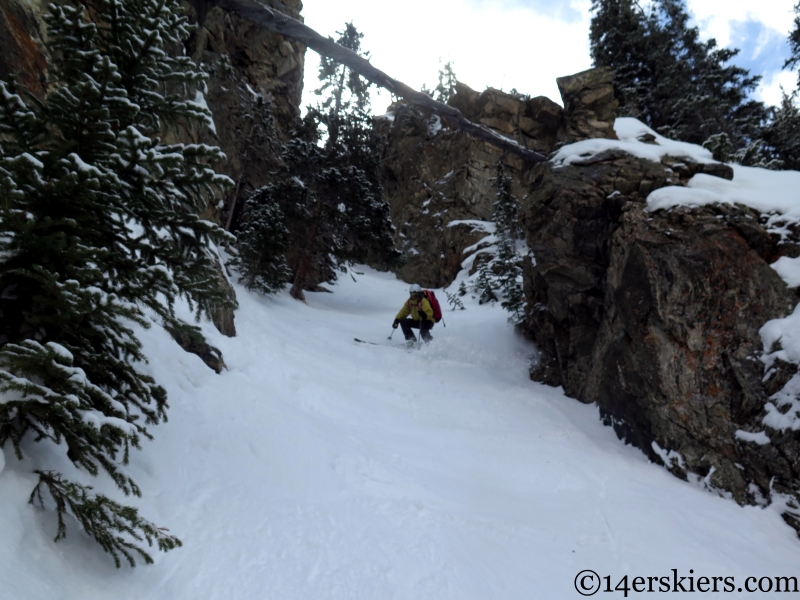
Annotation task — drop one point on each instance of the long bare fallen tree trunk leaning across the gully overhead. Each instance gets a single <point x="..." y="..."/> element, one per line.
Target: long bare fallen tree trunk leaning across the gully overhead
<point x="294" y="29"/>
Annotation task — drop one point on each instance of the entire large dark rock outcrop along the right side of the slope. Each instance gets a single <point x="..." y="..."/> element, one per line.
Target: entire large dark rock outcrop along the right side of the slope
<point x="656" y="316"/>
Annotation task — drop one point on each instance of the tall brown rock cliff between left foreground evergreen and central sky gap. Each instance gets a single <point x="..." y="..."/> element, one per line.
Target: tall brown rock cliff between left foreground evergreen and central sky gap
<point x="254" y="90"/>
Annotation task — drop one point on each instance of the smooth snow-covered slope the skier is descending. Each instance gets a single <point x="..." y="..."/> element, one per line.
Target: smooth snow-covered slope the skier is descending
<point x="317" y="468"/>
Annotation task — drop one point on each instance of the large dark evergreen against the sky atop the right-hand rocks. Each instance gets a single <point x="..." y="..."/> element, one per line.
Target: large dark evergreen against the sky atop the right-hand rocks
<point x="666" y="76"/>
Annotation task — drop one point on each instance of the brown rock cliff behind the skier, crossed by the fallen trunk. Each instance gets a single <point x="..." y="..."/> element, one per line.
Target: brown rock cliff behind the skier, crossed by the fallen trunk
<point x="438" y="181"/>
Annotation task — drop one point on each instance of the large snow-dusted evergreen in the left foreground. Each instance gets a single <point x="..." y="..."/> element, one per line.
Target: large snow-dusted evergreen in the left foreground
<point x="98" y="228"/>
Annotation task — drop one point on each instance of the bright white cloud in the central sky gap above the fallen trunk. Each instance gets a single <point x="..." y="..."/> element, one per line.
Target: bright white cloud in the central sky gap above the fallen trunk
<point x="505" y="45"/>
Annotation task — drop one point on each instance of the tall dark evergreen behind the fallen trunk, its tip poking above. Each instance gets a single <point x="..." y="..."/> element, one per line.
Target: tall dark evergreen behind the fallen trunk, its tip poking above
<point x="334" y="157"/>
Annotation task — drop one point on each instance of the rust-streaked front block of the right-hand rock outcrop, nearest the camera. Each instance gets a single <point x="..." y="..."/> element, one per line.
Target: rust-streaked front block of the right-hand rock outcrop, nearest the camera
<point x="676" y="360"/>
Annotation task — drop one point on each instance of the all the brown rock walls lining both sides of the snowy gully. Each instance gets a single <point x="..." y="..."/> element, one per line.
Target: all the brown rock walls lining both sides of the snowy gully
<point x="653" y="316"/>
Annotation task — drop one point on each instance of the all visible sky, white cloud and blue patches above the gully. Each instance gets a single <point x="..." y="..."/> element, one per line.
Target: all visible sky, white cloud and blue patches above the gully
<point x="527" y="44"/>
